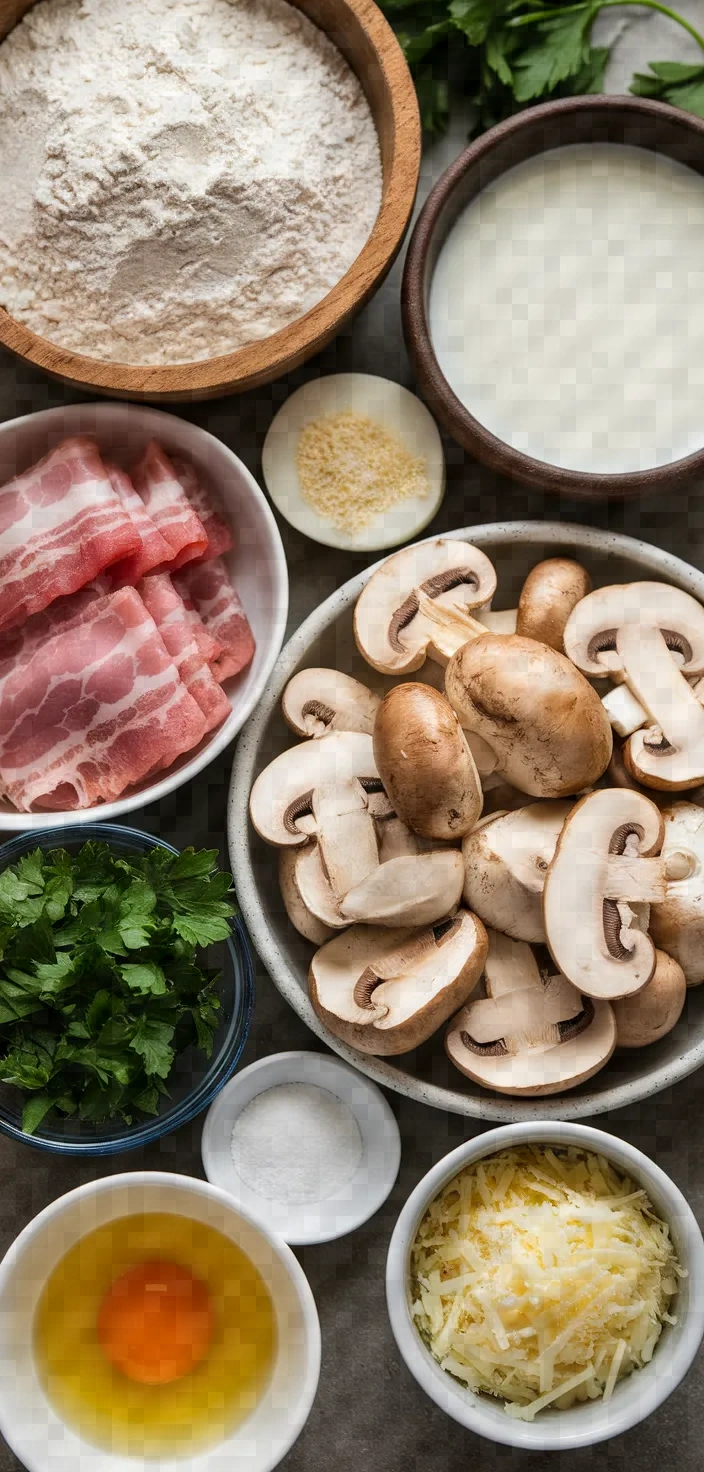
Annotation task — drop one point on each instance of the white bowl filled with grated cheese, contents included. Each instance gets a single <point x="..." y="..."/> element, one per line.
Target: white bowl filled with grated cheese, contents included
<point x="546" y="1286"/>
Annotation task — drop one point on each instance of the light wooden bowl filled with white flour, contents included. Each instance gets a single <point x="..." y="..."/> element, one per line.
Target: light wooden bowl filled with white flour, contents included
<point x="251" y="207"/>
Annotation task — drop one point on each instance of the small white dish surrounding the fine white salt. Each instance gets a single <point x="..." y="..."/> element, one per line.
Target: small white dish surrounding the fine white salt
<point x="359" y="1199"/>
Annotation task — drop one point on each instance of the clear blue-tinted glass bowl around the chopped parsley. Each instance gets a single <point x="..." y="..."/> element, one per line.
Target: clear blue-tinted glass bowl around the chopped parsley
<point x="195" y="1080"/>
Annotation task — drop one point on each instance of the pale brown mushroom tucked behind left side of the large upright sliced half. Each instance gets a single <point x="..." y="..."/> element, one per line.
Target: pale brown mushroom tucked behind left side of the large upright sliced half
<point x="506" y="863"/>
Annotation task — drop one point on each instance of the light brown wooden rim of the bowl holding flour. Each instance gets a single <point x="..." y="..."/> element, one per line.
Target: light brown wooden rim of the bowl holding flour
<point x="245" y="367"/>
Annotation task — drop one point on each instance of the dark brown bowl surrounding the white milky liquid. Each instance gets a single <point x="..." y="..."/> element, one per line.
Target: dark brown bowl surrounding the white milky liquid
<point x="578" y="120"/>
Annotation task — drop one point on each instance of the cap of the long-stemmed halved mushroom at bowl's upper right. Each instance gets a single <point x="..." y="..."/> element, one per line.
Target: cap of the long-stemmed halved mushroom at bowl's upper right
<point x="590" y="638"/>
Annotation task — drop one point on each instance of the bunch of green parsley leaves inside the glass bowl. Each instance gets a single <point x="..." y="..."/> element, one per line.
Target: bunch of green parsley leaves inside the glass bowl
<point x="101" y="983"/>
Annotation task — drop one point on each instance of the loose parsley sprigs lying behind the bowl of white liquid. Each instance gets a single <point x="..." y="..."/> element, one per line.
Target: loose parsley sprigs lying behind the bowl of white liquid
<point x="509" y="54"/>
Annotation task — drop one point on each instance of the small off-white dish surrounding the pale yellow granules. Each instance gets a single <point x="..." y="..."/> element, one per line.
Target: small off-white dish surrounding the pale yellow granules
<point x="397" y="411"/>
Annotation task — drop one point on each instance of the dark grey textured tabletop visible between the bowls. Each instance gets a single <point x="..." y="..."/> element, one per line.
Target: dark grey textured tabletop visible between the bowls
<point x="370" y="1414"/>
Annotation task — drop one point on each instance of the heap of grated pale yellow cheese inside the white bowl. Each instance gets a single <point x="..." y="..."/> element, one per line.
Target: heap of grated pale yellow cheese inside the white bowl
<point x="543" y="1277"/>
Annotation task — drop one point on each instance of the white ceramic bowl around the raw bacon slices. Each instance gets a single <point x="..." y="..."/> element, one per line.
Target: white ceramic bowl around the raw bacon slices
<point x="257" y="565"/>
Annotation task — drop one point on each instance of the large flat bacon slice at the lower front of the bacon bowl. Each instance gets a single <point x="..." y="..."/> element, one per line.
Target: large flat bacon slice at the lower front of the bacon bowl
<point x="95" y="710"/>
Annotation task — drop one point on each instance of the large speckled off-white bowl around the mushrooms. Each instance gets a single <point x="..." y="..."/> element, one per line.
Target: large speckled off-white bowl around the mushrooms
<point x="326" y="640"/>
